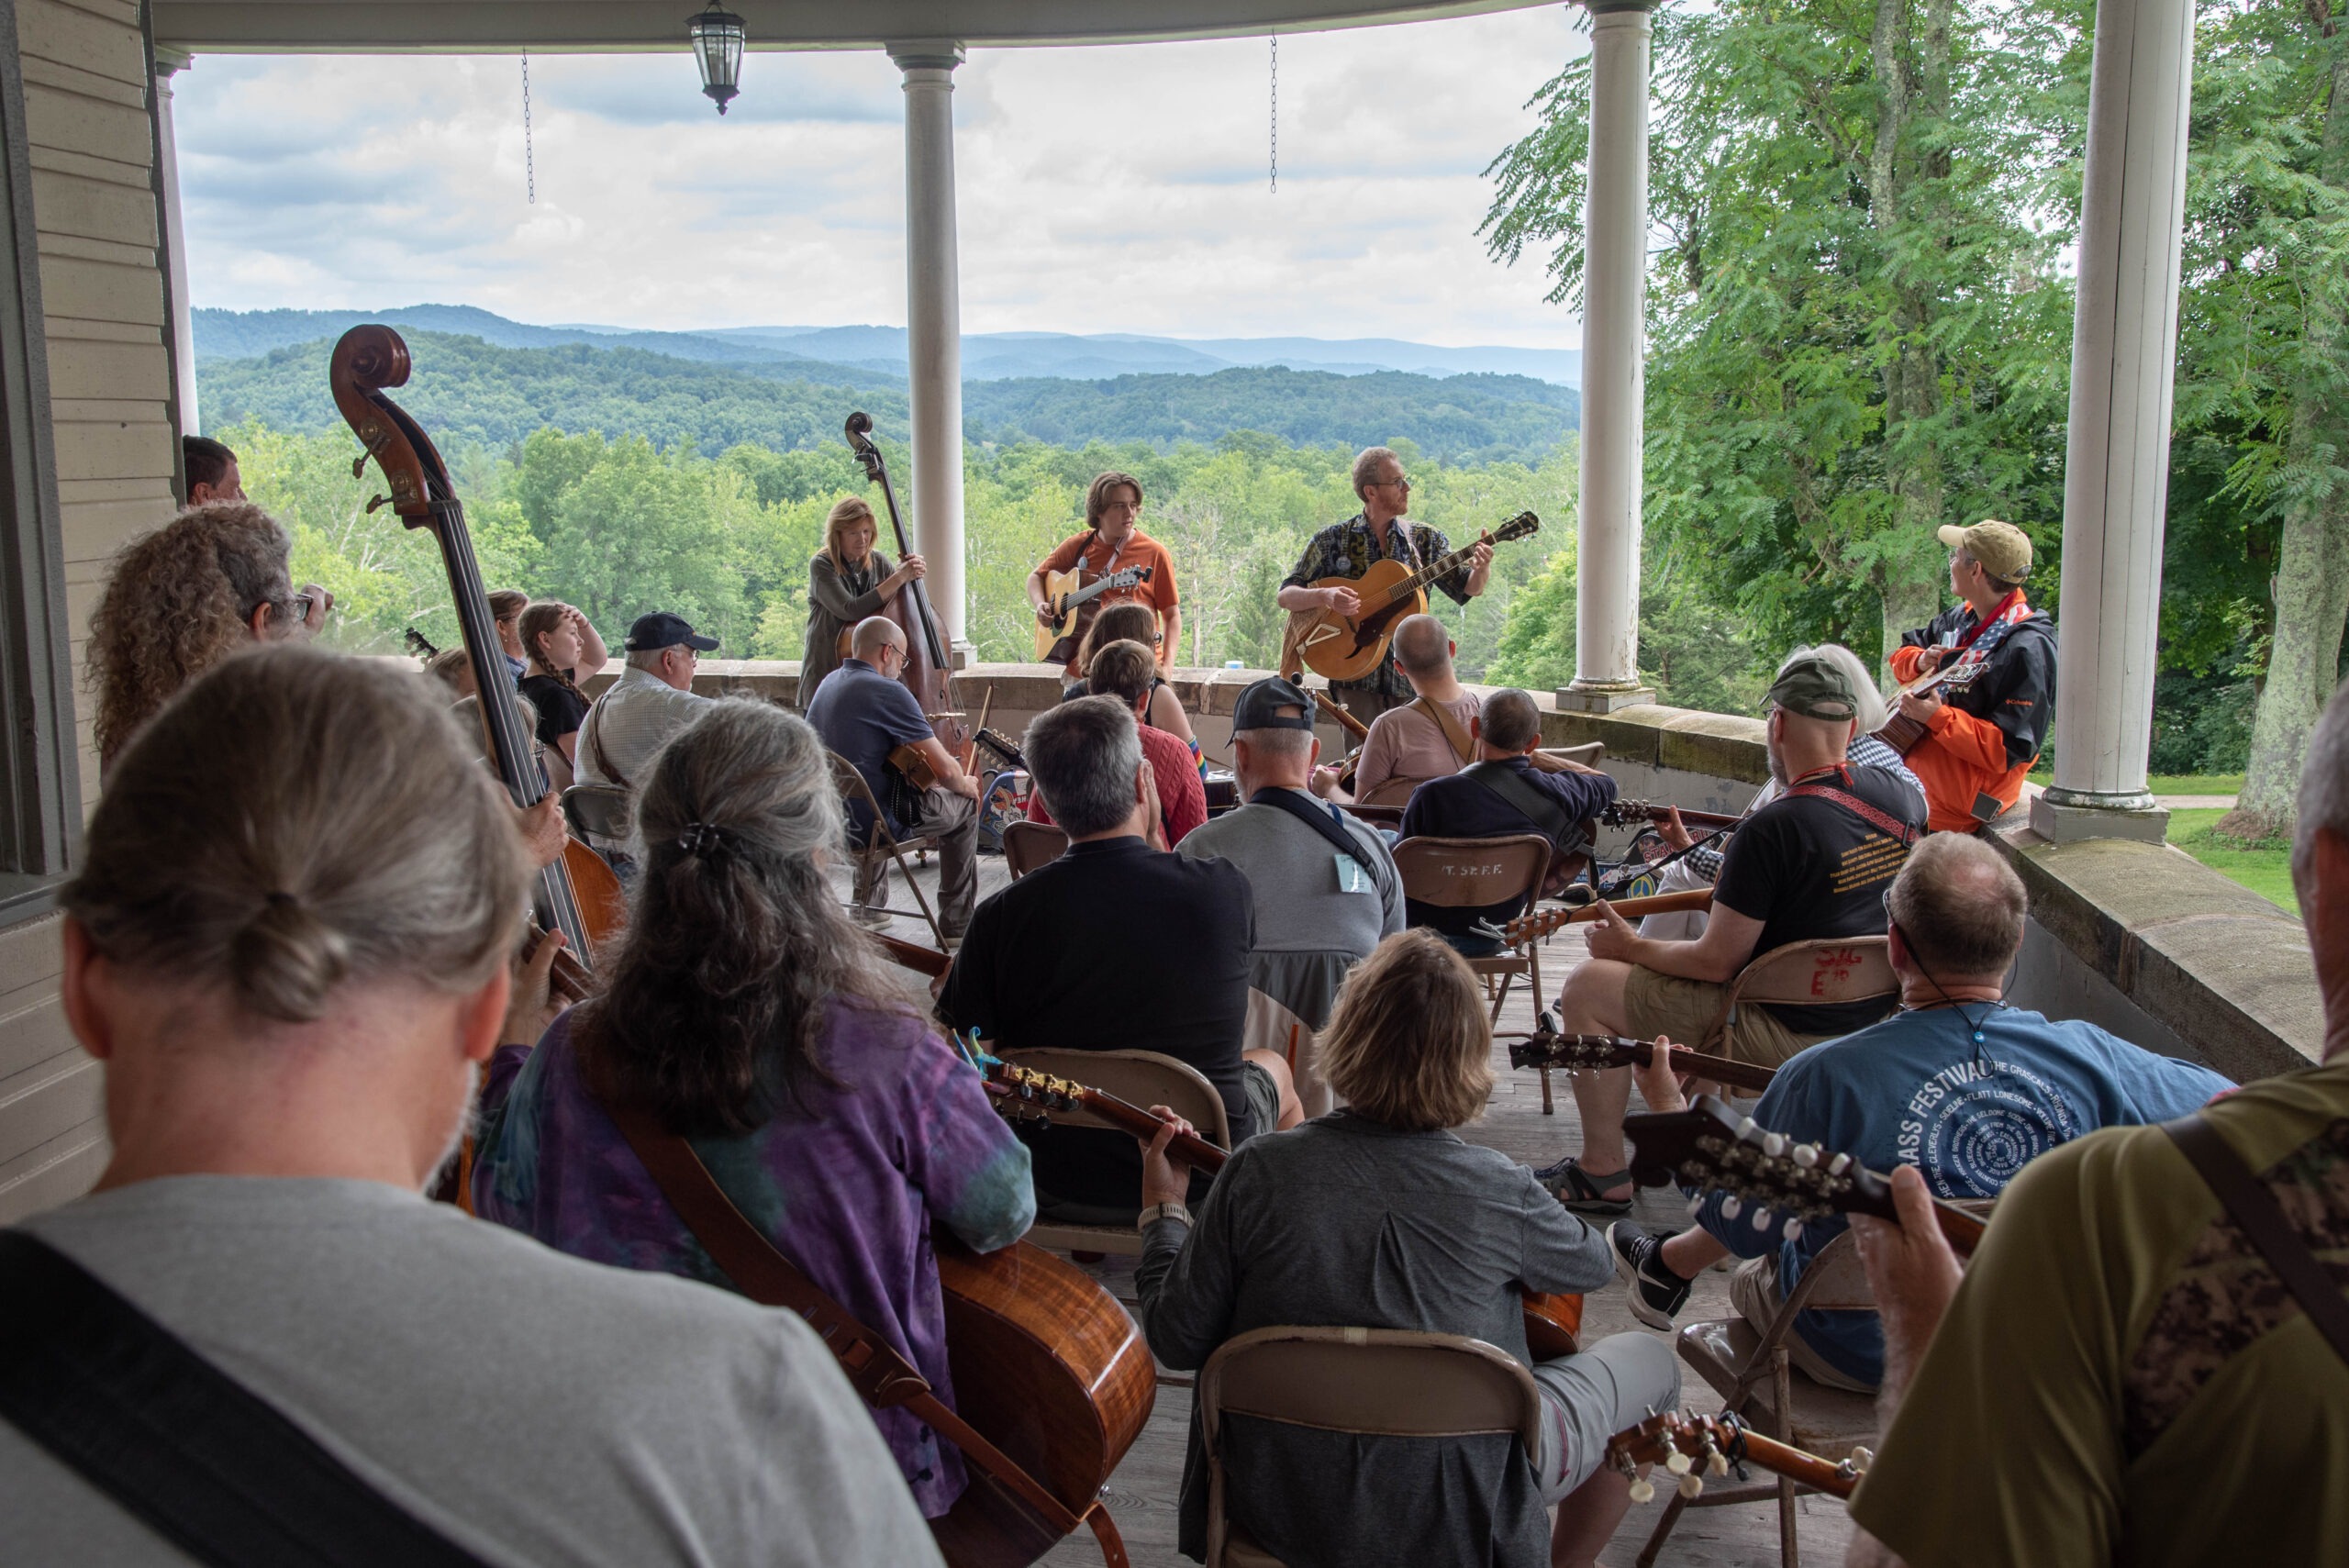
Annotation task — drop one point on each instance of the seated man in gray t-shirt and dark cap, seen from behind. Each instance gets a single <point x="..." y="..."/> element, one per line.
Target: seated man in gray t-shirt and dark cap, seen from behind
<point x="1319" y="910"/>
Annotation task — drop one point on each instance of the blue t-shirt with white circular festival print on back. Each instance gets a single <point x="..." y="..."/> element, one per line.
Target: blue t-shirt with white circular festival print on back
<point x="1918" y="1090"/>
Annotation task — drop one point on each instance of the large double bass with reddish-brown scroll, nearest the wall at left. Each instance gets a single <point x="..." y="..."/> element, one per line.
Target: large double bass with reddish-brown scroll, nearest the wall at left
<point x="365" y="363"/>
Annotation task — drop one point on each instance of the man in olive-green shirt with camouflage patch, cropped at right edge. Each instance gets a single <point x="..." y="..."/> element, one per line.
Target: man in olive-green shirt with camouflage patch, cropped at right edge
<point x="2125" y="1377"/>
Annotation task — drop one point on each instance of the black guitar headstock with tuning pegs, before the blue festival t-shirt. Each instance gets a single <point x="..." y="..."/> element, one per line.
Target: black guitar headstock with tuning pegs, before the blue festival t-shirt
<point x="1770" y="1180"/>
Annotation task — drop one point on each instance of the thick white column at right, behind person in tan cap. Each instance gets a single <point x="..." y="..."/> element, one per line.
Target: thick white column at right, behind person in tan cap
<point x="2118" y="459"/>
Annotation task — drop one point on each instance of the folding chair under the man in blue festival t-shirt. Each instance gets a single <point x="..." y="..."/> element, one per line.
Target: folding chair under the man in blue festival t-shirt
<point x="1758" y="1381"/>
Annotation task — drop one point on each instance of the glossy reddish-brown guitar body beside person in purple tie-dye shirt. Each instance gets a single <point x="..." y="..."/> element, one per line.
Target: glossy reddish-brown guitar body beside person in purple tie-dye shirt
<point x="1046" y="1367"/>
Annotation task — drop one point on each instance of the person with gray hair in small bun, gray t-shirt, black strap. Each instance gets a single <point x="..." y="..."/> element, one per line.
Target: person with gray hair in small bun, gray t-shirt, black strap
<point x="292" y="964"/>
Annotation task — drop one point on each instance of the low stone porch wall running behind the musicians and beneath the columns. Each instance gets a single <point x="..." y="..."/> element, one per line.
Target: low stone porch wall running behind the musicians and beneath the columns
<point x="2139" y="938"/>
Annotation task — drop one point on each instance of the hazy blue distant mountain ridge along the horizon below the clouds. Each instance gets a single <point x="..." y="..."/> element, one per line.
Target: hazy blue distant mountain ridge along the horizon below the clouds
<point x="828" y="351"/>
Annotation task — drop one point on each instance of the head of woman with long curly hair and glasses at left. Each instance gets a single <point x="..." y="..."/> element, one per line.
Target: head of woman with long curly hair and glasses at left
<point x="182" y="600"/>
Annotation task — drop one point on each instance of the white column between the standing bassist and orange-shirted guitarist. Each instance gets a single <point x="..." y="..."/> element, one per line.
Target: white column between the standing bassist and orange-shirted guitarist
<point x="934" y="320"/>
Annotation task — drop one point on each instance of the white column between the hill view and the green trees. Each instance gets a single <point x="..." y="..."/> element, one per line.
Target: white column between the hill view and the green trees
<point x="1615" y="372"/>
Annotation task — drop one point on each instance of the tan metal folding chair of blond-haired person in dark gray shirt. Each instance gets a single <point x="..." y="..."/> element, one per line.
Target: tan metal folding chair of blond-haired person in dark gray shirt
<point x="1368" y="1381"/>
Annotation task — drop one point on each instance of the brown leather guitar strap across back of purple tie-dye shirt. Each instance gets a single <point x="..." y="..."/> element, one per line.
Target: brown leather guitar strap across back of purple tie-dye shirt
<point x="882" y="1377"/>
